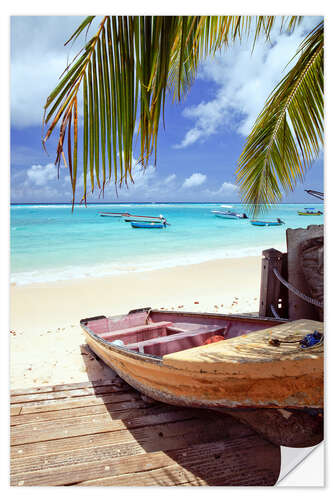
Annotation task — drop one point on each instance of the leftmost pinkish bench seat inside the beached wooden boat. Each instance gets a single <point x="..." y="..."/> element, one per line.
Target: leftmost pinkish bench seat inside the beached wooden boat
<point x="138" y="333"/>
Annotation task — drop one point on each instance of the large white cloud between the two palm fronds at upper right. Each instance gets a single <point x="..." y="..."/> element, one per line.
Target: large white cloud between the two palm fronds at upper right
<point x="244" y="83"/>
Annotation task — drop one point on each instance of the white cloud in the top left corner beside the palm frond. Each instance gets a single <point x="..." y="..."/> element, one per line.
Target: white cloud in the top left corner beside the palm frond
<point x="38" y="58"/>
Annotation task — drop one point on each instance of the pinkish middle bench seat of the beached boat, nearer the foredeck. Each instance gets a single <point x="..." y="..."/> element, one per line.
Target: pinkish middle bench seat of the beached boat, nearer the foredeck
<point x="178" y="341"/>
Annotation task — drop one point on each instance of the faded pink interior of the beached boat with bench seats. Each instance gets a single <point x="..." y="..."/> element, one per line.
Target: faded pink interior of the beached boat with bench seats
<point x="159" y="333"/>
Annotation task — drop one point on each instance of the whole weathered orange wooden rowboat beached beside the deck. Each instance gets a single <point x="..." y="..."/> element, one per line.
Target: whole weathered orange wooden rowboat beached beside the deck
<point x="181" y="359"/>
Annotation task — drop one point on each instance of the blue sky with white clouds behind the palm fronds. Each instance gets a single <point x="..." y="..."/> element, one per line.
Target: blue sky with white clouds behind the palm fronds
<point x="197" y="152"/>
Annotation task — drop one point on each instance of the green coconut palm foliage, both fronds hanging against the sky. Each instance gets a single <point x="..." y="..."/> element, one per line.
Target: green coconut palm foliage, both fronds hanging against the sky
<point x="122" y="76"/>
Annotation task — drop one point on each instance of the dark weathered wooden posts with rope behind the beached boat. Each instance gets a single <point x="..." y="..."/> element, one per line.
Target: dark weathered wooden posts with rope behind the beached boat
<point x="275" y="297"/>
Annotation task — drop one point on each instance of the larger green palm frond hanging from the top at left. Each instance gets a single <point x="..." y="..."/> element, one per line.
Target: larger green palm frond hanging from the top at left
<point x="125" y="70"/>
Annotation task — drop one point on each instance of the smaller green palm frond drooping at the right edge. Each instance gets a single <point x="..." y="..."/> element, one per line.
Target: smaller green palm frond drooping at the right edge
<point x="287" y="136"/>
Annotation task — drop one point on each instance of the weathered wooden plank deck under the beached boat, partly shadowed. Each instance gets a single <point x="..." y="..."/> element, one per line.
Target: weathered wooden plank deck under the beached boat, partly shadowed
<point x="103" y="433"/>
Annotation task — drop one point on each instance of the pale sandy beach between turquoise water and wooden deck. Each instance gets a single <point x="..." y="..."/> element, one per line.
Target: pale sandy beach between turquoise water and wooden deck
<point x="46" y="339"/>
